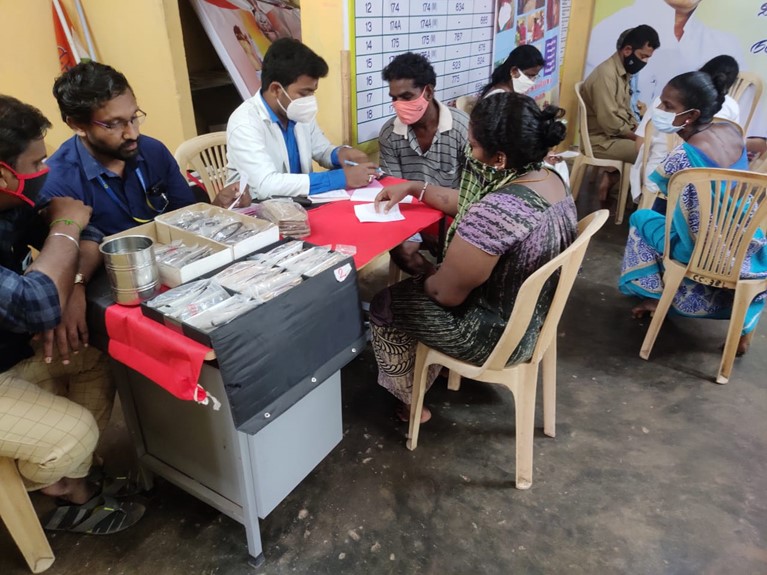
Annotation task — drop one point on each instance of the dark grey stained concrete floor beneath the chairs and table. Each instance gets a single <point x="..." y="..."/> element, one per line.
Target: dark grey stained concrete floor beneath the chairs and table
<point x="655" y="469"/>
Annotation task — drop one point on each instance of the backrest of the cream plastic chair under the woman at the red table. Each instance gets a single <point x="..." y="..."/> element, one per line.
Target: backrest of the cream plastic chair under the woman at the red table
<point x="569" y="262"/>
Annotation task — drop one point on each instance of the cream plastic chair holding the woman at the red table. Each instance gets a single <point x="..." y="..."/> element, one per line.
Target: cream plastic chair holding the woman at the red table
<point x="522" y="378"/>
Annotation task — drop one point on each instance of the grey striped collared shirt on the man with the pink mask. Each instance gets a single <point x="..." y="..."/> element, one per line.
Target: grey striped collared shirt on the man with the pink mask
<point x="441" y="164"/>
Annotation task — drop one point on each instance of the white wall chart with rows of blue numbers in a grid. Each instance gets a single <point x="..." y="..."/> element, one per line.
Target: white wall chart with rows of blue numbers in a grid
<point x="455" y="35"/>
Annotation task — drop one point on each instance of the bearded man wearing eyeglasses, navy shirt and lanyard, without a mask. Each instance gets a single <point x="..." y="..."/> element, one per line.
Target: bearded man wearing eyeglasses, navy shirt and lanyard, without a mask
<point x="125" y="177"/>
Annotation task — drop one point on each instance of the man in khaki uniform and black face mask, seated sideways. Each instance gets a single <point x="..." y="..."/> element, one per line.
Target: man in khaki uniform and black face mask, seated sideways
<point x="607" y="95"/>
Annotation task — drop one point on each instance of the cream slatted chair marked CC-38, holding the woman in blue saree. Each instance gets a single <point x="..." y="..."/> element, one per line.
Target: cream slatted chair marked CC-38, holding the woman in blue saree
<point x="727" y="228"/>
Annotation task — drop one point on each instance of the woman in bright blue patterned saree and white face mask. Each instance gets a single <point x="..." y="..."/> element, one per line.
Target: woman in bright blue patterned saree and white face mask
<point x="688" y="105"/>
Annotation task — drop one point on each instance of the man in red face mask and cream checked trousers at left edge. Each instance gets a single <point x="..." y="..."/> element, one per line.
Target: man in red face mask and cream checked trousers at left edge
<point x="51" y="437"/>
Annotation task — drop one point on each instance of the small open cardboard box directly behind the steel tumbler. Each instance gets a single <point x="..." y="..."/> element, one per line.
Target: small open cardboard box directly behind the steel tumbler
<point x="172" y="276"/>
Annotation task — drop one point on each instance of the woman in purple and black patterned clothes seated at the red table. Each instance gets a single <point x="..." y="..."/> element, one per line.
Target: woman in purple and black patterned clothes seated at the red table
<point x="511" y="217"/>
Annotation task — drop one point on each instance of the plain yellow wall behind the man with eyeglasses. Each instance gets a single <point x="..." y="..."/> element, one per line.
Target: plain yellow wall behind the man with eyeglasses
<point x="141" y="38"/>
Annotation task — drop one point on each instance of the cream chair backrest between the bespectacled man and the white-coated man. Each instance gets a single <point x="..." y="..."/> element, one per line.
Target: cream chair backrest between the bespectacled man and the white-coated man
<point x="206" y="155"/>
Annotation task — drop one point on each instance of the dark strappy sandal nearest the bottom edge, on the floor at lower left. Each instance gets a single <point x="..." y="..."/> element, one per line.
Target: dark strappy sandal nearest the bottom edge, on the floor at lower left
<point x="99" y="516"/>
